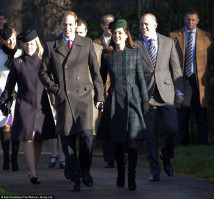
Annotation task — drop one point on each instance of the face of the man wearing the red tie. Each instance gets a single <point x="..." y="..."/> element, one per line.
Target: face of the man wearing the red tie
<point x="68" y="26"/>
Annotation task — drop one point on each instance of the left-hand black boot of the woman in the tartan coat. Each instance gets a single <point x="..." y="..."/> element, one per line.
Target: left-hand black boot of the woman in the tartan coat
<point x="119" y="157"/>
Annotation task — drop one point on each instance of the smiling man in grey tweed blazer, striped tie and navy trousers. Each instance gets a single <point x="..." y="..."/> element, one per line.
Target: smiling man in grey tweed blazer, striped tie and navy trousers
<point x="164" y="82"/>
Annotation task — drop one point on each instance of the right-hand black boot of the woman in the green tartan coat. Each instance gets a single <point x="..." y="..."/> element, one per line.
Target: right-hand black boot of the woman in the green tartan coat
<point x="132" y="162"/>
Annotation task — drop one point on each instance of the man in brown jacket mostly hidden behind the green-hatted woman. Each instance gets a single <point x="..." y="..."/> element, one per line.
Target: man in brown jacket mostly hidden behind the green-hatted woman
<point x="104" y="40"/>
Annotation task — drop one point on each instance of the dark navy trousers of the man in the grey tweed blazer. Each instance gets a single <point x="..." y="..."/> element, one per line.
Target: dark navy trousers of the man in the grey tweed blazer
<point x="162" y="118"/>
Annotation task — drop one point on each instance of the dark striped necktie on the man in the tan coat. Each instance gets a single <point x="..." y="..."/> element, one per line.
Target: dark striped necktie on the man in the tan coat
<point x="189" y="54"/>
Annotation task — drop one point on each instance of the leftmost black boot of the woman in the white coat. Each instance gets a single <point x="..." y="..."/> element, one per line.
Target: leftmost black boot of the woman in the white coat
<point x="5" y="141"/>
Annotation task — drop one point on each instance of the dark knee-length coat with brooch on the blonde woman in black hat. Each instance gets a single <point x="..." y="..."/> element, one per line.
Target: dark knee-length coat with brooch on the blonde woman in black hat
<point x="32" y="109"/>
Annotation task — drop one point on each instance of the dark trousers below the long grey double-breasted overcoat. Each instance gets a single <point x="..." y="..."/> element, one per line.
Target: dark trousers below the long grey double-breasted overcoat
<point x="78" y="165"/>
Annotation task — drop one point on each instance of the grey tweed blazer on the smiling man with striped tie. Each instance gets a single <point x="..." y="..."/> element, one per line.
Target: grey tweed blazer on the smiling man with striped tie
<point x="166" y="75"/>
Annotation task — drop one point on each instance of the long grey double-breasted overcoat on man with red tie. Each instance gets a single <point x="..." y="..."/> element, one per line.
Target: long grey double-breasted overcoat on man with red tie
<point x="65" y="73"/>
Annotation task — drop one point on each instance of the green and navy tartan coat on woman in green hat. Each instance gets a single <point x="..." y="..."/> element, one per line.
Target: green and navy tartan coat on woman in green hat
<point x="122" y="118"/>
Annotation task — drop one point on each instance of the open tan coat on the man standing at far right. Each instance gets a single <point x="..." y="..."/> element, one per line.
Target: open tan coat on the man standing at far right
<point x="204" y="57"/>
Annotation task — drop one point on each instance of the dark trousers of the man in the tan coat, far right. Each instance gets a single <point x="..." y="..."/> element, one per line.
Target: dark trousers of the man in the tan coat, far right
<point x="200" y="113"/>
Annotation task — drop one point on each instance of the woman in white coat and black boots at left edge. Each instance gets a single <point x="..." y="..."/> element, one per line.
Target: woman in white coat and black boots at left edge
<point x="8" y="52"/>
